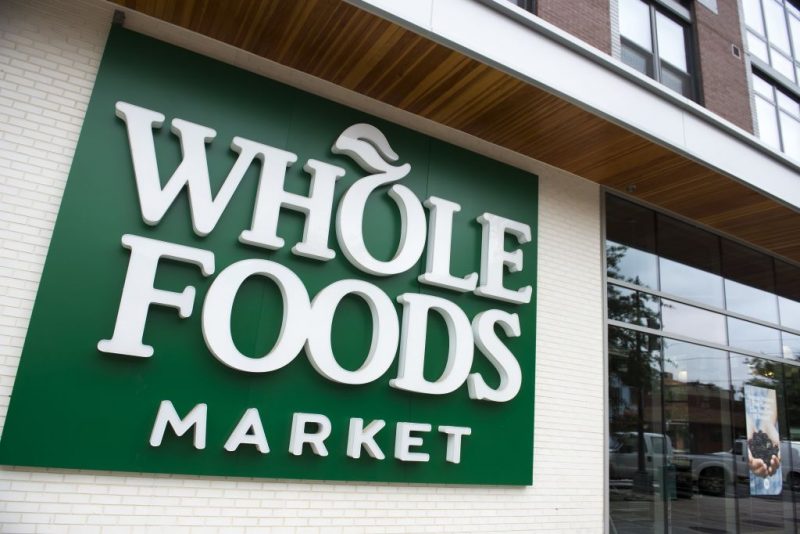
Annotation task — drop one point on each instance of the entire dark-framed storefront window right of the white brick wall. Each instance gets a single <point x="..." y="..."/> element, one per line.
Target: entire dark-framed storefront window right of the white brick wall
<point x="707" y="413"/>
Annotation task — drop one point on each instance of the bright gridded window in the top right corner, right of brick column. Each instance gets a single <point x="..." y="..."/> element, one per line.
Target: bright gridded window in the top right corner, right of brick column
<point x="773" y="35"/>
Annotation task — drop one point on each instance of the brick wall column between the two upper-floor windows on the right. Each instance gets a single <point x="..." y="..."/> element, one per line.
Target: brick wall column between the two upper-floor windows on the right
<point x="724" y="78"/>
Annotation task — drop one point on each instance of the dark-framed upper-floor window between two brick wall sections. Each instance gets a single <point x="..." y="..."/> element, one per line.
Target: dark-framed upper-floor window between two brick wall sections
<point x="656" y="41"/>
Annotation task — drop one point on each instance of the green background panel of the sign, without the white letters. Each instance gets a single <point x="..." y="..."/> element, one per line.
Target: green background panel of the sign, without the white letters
<point x="73" y="406"/>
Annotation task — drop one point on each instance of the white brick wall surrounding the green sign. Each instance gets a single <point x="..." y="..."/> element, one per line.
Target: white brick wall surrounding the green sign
<point x="49" y="53"/>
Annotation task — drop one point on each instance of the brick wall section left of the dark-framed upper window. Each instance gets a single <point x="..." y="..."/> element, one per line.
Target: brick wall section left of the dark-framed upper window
<point x="588" y="20"/>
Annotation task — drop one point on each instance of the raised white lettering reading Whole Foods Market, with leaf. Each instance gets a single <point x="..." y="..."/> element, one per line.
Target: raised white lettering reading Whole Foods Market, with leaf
<point x="392" y="336"/>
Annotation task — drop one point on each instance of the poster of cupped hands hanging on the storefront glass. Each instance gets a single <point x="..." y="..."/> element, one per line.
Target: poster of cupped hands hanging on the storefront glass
<point x="763" y="441"/>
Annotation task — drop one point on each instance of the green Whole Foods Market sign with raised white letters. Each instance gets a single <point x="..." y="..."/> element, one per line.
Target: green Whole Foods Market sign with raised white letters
<point x="245" y="279"/>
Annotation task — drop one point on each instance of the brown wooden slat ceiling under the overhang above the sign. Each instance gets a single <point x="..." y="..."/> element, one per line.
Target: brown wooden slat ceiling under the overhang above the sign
<point x="352" y="48"/>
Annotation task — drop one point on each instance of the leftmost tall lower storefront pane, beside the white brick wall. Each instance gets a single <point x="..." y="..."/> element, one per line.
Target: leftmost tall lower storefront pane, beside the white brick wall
<point x="638" y="452"/>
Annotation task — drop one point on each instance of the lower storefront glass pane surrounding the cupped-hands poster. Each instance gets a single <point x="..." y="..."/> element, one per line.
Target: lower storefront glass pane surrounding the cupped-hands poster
<point x="758" y="514"/>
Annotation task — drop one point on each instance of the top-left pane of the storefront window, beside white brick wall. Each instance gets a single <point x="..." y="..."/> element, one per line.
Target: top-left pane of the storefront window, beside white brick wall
<point x="631" y="243"/>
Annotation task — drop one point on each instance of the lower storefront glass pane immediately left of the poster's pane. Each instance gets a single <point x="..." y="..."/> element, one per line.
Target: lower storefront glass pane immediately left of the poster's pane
<point x="698" y="422"/>
